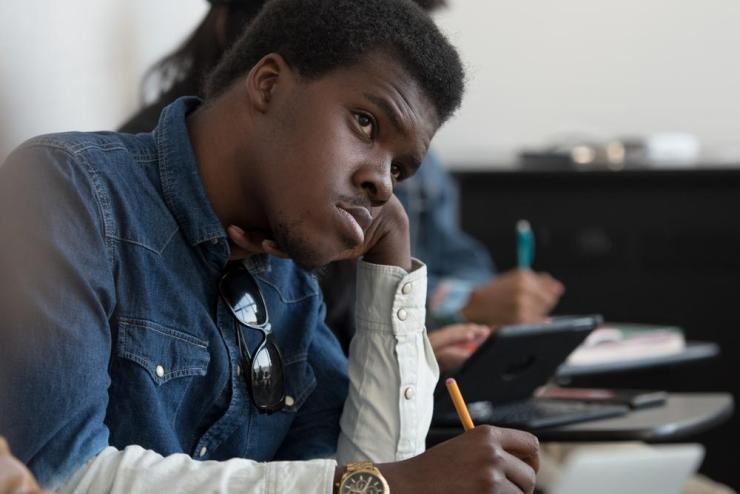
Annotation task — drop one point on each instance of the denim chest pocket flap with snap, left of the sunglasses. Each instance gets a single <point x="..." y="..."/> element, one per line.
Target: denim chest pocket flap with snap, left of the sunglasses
<point x="163" y="352"/>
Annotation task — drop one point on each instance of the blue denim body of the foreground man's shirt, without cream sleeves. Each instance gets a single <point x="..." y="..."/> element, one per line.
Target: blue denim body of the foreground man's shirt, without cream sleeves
<point x="113" y="332"/>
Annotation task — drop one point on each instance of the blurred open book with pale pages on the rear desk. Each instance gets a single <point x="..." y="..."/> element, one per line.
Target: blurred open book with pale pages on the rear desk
<point x="619" y="342"/>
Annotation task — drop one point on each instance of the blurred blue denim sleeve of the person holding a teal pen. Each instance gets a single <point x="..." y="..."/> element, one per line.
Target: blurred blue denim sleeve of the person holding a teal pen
<point x="456" y="262"/>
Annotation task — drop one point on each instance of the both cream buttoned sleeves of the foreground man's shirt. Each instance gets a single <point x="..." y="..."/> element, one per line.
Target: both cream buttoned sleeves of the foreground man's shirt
<point x="386" y="416"/>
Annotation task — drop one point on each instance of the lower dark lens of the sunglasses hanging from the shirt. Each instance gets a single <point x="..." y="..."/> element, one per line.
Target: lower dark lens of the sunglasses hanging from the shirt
<point x="268" y="385"/>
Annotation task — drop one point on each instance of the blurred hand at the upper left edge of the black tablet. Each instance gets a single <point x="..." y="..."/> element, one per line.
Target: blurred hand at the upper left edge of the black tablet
<point x="453" y="344"/>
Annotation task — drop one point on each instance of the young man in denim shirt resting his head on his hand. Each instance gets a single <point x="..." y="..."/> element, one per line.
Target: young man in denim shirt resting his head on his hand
<point x="132" y="348"/>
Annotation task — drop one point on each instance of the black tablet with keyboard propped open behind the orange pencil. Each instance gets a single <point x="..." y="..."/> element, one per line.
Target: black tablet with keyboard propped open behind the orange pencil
<point x="499" y="379"/>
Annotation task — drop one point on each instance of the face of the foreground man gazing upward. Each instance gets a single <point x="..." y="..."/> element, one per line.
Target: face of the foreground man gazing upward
<point x="337" y="146"/>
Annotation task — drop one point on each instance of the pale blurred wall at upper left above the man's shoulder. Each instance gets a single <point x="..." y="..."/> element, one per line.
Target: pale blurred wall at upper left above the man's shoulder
<point x="76" y="64"/>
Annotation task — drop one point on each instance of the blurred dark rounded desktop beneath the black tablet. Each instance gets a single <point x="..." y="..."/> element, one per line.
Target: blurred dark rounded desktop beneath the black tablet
<point x="683" y="415"/>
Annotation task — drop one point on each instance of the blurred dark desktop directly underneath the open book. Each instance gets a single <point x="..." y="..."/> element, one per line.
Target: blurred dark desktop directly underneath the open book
<point x="694" y="351"/>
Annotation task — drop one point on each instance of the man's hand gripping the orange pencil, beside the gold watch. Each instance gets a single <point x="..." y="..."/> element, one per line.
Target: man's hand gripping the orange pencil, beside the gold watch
<point x="486" y="460"/>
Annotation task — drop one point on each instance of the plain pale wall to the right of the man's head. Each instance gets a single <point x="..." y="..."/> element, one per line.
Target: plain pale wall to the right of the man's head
<point x="539" y="70"/>
